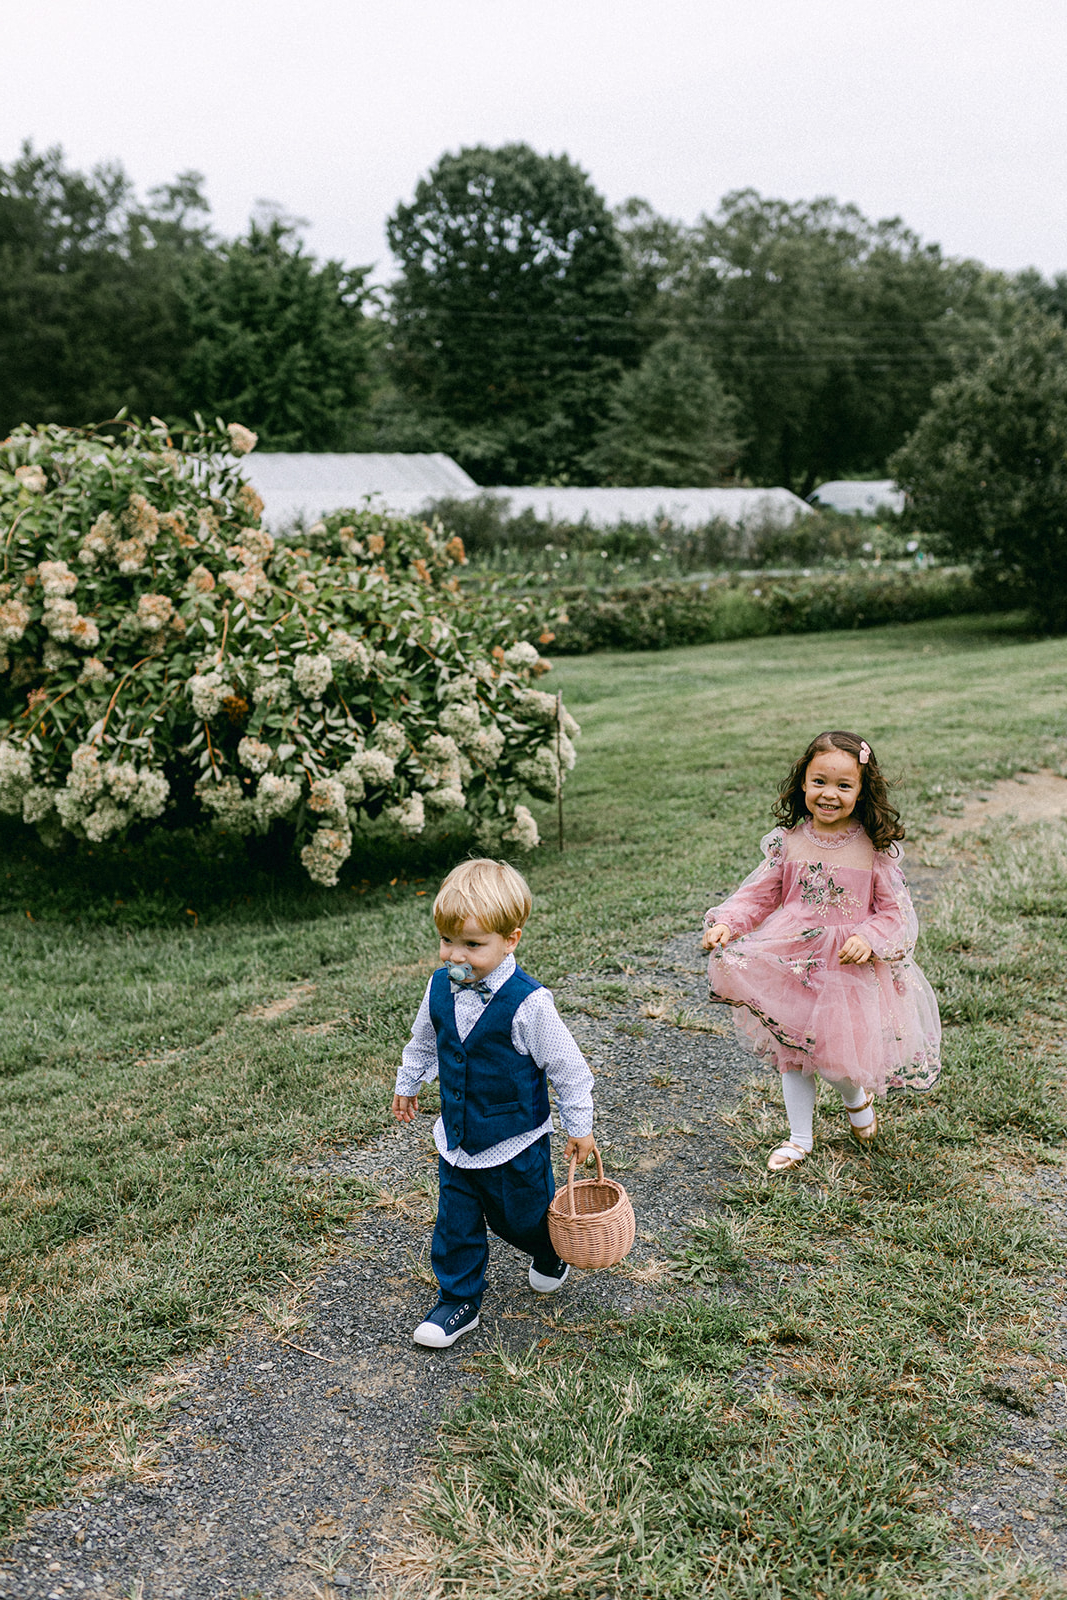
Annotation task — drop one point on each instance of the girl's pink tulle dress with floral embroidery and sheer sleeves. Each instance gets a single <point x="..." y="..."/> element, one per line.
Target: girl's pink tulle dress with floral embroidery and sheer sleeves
<point x="796" y="1004"/>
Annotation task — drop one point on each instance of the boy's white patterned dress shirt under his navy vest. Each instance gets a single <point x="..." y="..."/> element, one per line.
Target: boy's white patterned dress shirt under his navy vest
<point x="538" y="1031"/>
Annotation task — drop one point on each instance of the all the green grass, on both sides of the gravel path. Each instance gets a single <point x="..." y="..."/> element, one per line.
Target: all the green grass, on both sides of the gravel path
<point x="151" y="1116"/>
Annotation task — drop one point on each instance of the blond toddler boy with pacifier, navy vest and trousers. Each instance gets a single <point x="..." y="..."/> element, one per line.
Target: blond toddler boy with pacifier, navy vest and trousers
<point x="494" y="1034"/>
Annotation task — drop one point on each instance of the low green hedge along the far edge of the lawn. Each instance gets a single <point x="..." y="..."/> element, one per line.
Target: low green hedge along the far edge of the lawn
<point x="665" y="615"/>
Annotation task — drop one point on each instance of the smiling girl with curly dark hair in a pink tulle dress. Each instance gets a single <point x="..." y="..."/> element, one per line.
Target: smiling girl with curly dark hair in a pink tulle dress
<point x="815" y="948"/>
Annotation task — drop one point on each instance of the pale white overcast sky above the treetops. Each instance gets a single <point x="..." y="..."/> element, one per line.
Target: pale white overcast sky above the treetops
<point x="949" y="114"/>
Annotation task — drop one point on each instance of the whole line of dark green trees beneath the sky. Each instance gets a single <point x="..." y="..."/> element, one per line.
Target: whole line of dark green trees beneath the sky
<point x="530" y="332"/>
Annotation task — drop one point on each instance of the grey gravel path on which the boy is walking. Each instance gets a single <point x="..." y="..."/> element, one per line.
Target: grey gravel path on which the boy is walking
<point x="286" y="1452"/>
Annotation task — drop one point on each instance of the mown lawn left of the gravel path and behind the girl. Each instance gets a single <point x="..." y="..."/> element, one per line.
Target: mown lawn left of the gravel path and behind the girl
<point x="170" y="1047"/>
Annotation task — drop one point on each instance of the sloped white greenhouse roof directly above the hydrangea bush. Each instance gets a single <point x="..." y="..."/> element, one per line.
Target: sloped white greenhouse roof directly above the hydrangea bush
<point x="305" y="486"/>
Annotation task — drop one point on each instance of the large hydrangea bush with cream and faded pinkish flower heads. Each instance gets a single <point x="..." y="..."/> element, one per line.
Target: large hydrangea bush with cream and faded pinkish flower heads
<point x="164" y="660"/>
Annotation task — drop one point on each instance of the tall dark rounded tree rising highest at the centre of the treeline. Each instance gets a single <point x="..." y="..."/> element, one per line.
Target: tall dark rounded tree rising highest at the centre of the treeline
<point x="511" y="318"/>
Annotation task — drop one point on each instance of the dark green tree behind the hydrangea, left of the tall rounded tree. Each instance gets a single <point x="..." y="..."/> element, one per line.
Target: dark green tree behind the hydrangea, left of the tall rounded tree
<point x="278" y="338"/>
